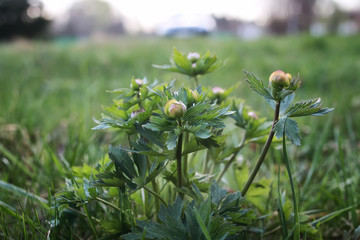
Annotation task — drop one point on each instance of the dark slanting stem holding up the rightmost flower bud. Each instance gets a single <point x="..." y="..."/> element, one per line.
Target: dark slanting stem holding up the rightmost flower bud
<point x="263" y="152"/>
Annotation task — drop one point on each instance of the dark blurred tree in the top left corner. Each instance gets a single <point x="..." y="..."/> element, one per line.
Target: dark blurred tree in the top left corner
<point x="21" y="18"/>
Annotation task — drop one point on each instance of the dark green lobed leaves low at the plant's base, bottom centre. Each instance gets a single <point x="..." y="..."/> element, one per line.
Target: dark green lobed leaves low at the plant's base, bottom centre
<point x="219" y="216"/>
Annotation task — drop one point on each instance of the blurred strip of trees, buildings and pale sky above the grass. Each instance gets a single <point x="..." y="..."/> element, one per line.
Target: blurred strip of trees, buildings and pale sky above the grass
<point x="49" y="19"/>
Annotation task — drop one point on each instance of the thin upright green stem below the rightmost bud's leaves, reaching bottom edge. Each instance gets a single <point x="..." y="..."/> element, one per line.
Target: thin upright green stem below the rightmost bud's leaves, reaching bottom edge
<point x="296" y="208"/>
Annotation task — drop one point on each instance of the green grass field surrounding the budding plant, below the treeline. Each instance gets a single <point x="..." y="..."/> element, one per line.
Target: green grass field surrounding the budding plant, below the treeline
<point x="51" y="91"/>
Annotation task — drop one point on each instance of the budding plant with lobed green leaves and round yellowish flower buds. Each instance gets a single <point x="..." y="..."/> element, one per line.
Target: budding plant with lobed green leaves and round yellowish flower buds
<point x="182" y="147"/>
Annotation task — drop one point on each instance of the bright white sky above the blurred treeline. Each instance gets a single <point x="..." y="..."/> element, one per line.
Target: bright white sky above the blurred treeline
<point x="147" y="14"/>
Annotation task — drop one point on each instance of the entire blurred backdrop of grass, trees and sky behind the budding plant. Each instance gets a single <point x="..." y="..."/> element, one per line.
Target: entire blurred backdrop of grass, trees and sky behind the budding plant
<point x="58" y="58"/>
